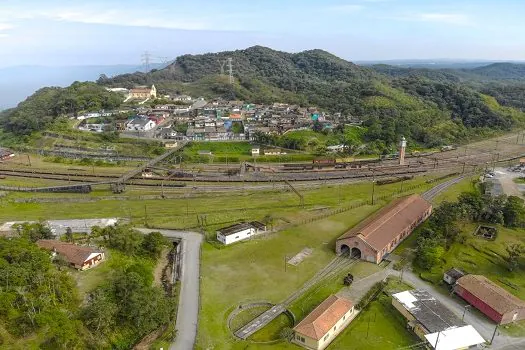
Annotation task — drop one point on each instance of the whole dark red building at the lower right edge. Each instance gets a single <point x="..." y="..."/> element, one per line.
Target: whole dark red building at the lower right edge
<point x="489" y="298"/>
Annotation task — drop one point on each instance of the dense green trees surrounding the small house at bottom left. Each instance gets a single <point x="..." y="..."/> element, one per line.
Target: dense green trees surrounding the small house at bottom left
<point x="41" y="307"/>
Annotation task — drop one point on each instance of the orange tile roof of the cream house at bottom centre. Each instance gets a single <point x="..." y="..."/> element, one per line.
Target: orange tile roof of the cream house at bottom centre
<point x="324" y="317"/>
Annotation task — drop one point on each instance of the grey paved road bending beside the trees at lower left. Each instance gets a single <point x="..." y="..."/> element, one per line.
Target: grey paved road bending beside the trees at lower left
<point x="188" y="312"/>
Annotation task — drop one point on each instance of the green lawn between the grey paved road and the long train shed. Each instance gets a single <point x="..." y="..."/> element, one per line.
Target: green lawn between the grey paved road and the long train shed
<point x="254" y="271"/>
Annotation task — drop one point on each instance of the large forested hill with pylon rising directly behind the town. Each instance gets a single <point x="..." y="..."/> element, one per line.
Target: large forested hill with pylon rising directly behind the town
<point x="430" y="107"/>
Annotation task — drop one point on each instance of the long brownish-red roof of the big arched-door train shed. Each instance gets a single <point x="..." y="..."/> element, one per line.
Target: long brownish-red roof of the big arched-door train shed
<point x="379" y="229"/>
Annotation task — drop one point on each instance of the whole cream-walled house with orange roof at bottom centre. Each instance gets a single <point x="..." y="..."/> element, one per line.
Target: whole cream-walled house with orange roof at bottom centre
<point x="317" y="330"/>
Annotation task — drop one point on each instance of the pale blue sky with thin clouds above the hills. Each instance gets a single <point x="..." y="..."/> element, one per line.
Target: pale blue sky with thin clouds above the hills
<point x="95" y="32"/>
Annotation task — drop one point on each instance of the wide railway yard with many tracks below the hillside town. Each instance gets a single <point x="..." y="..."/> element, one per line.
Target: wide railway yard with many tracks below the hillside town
<point x="165" y="174"/>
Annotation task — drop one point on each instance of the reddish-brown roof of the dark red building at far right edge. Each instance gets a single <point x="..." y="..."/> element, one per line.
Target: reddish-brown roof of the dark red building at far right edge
<point x="490" y="293"/>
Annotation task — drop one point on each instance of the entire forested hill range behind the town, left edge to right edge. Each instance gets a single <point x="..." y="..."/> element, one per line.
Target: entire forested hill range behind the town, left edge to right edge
<point x="429" y="107"/>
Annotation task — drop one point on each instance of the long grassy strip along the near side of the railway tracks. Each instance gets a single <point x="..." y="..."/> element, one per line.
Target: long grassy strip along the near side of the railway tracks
<point x="220" y="208"/>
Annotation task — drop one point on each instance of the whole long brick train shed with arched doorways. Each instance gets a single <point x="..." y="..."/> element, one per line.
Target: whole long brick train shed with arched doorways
<point x="380" y="233"/>
